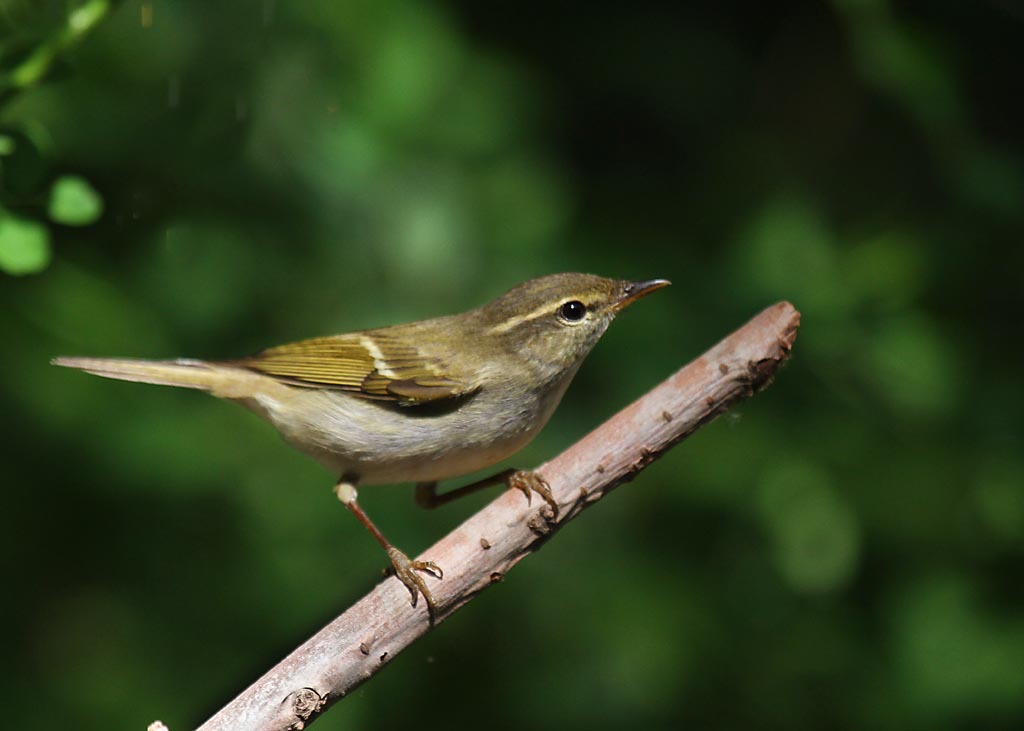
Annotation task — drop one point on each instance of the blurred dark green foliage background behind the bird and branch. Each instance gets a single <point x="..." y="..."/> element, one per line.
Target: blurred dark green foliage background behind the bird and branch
<point x="206" y="180"/>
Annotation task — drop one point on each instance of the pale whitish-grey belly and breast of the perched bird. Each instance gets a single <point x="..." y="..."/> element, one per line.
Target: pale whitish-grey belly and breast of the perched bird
<point x="378" y="443"/>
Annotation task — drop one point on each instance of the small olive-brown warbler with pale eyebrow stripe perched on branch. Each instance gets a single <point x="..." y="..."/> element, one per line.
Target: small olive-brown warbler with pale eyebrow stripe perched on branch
<point x="416" y="403"/>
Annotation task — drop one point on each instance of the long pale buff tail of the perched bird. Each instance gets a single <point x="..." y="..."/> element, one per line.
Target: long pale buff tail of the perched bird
<point x="223" y="381"/>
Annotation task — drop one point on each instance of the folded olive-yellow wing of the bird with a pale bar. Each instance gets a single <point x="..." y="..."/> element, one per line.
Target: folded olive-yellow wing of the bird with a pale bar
<point x="369" y="365"/>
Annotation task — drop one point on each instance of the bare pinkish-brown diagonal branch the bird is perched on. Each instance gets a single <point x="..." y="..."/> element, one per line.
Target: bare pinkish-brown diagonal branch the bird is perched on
<point x="480" y="552"/>
